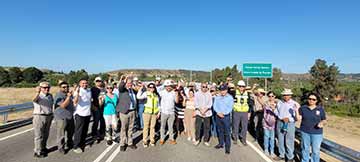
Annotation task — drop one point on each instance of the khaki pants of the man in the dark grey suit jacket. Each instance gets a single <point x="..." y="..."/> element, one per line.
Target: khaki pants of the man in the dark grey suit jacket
<point x="127" y="125"/>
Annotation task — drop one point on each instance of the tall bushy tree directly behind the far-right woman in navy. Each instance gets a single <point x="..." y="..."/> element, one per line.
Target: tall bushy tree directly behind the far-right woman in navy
<point x="324" y="79"/>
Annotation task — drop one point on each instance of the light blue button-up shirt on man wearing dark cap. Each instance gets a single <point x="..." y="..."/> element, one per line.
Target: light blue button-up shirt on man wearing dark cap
<point x="224" y="104"/>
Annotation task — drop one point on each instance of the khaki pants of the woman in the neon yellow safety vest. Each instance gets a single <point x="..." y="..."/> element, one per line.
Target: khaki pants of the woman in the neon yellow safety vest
<point x="149" y="122"/>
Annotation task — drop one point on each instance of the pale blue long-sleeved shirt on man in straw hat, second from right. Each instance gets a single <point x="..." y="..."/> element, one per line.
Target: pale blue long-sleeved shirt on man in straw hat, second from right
<point x="286" y="110"/>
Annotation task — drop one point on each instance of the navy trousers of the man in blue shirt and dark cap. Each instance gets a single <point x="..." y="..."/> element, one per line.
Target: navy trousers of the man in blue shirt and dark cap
<point x="223" y="125"/>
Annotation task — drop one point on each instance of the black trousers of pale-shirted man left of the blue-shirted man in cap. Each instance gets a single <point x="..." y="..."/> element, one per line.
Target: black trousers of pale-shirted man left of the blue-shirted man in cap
<point x="198" y="123"/>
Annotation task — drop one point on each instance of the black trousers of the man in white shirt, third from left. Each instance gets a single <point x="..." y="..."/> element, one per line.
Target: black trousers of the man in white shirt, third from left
<point x="81" y="129"/>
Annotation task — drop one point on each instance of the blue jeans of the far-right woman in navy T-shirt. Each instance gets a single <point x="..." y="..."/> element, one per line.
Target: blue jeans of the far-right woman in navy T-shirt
<point x="313" y="141"/>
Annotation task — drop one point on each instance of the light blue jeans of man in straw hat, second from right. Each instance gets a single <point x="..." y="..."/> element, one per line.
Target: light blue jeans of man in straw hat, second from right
<point x="286" y="139"/>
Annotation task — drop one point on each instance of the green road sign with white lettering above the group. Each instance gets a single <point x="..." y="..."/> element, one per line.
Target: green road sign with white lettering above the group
<point x="257" y="70"/>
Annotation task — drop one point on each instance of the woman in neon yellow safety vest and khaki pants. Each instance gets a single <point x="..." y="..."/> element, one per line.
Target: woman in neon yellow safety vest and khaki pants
<point x="150" y="113"/>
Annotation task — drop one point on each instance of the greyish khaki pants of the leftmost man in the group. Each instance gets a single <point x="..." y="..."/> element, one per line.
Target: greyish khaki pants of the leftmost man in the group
<point x="41" y="125"/>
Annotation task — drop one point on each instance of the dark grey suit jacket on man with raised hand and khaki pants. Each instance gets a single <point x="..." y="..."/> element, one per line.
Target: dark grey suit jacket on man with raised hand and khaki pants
<point x="124" y="99"/>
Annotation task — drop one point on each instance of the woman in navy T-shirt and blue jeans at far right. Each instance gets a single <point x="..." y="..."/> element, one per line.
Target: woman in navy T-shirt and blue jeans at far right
<point x="313" y="119"/>
